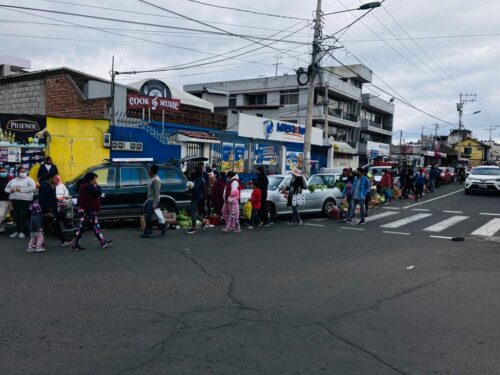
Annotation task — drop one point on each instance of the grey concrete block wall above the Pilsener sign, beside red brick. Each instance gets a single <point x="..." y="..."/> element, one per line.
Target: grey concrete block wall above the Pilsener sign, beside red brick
<point x="23" y="97"/>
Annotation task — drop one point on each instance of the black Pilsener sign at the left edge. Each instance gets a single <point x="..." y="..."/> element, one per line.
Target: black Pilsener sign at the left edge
<point x="21" y="129"/>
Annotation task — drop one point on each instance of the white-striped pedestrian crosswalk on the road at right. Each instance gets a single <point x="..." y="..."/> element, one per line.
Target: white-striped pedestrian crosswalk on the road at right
<point x="436" y="222"/>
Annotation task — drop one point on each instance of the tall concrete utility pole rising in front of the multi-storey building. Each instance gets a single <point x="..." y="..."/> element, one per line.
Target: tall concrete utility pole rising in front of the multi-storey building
<point x="313" y="70"/>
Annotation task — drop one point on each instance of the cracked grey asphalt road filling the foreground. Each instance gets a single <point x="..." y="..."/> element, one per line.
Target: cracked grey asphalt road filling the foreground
<point x="324" y="298"/>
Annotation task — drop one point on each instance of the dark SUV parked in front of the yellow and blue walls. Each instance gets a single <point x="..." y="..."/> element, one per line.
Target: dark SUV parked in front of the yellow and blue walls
<point x="124" y="187"/>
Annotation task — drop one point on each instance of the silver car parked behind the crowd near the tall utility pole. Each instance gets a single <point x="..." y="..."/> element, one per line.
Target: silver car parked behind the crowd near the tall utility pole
<point x="320" y="196"/>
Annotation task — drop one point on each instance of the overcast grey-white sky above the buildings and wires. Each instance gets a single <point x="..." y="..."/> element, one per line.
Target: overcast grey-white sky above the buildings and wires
<point x="447" y="47"/>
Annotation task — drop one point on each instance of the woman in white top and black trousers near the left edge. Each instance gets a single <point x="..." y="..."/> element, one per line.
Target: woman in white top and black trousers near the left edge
<point x="21" y="191"/>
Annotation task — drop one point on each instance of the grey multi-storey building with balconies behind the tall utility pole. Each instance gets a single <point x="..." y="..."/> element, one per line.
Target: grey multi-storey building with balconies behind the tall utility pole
<point x="352" y="118"/>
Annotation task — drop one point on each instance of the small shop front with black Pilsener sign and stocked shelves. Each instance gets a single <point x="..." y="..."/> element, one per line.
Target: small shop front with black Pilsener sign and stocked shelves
<point x="22" y="142"/>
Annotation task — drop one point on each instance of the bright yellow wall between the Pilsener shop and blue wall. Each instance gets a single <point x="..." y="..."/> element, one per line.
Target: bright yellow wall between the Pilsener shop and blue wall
<point x="76" y="144"/>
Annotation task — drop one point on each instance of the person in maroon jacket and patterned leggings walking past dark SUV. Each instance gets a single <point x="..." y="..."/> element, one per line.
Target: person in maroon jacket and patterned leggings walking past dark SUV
<point x="89" y="202"/>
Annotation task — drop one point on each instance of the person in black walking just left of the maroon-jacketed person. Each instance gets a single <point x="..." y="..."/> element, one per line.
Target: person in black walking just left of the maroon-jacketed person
<point x="48" y="202"/>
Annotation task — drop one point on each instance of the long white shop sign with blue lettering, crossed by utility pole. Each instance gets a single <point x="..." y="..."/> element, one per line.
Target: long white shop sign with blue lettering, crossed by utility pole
<point x="275" y="130"/>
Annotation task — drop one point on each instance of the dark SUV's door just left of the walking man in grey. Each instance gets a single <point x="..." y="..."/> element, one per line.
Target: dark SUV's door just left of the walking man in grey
<point x="133" y="190"/>
